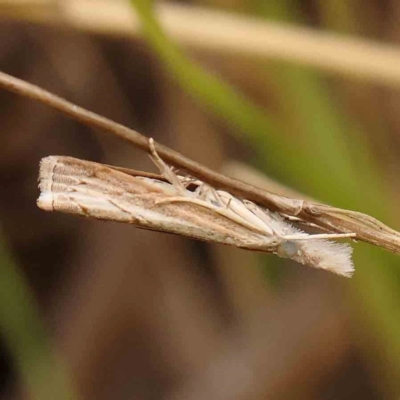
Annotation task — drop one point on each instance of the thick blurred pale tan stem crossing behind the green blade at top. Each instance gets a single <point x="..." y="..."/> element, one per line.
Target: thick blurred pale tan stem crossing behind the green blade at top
<point x="224" y="33"/>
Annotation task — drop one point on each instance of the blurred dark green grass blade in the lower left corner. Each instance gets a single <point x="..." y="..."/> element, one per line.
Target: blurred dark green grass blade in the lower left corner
<point x="42" y="372"/>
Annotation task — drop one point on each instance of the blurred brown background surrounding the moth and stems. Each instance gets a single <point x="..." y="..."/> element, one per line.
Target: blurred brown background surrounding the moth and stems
<point x="143" y="315"/>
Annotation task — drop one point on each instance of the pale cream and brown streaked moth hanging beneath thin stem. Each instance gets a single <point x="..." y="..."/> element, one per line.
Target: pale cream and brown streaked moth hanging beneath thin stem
<point x="185" y="206"/>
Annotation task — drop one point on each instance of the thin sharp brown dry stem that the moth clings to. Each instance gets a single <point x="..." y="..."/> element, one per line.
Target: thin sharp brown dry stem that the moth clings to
<point x="367" y="229"/>
